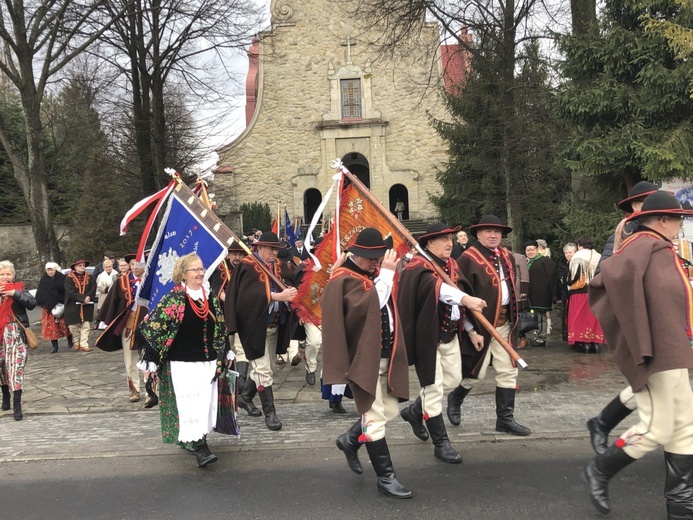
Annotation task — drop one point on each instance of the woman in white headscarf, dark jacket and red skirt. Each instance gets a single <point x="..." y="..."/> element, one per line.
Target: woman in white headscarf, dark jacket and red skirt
<point x="51" y="292"/>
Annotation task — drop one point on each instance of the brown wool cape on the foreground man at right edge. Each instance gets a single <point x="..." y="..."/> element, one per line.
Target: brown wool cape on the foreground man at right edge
<point x="642" y="299"/>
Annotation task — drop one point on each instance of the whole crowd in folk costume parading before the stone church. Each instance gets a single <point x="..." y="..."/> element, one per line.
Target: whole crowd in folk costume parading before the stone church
<point x="451" y="311"/>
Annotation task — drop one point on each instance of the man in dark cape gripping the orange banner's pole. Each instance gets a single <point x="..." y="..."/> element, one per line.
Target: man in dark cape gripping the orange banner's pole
<point x="425" y="299"/>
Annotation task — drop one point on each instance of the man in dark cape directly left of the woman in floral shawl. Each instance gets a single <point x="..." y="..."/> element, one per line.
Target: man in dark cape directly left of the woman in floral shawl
<point x="121" y="312"/>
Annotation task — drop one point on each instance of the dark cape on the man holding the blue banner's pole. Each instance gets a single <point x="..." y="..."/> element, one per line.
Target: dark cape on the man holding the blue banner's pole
<point x="246" y="306"/>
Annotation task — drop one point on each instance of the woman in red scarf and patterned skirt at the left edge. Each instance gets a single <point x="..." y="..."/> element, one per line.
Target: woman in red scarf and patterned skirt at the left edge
<point x="14" y="302"/>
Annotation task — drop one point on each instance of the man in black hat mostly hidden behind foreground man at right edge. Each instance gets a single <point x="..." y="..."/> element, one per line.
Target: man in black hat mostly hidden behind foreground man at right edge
<point x="623" y="404"/>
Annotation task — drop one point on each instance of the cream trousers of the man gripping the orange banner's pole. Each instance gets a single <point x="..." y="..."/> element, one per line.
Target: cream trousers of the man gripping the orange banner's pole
<point x="448" y="377"/>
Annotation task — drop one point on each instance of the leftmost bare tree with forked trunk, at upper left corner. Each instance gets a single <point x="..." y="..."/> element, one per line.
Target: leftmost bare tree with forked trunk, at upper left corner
<point x="40" y="38"/>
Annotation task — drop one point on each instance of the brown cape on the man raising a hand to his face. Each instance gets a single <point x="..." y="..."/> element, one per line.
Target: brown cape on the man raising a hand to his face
<point x="351" y="329"/>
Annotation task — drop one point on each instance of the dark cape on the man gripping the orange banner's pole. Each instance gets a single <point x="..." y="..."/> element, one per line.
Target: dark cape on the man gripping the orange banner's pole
<point x="417" y="302"/>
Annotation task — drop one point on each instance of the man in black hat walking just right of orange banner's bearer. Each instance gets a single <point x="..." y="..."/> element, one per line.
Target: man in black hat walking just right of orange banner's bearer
<point x="490" y="270"/>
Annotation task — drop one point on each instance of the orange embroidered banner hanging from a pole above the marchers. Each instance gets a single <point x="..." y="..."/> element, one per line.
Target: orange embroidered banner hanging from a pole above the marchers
<point x="356" y="213"/>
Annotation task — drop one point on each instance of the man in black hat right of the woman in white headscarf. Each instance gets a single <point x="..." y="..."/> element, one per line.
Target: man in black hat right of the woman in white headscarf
<point x="80" y="291"/>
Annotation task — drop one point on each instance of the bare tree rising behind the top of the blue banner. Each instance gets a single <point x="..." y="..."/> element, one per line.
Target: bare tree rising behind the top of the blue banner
<point x="178" y="40"/>
